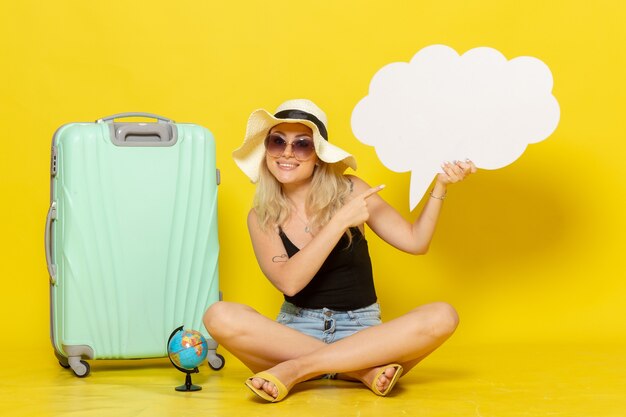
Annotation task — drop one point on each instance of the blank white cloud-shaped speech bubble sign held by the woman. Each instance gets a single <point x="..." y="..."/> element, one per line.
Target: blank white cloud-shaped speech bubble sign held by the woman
<point x="445" y="107"/>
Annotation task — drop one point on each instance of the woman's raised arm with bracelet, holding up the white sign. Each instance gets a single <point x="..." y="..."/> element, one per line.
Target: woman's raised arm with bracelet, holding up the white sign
<point x="415" y="237"/>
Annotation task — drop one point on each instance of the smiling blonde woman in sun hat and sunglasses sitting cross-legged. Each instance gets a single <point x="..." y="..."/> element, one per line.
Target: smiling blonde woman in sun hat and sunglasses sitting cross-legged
<point x="307" y="231"/>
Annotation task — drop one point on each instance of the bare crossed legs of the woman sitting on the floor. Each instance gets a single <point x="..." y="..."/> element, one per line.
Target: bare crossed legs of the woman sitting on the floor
<point x="292" y="357"/>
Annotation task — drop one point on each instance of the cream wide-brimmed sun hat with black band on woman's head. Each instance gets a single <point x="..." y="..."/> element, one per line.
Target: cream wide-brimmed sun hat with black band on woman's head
<point x="250" y="154"/>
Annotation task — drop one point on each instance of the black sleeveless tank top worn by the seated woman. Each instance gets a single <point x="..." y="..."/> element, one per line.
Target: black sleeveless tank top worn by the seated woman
<point x="344" y="282"/>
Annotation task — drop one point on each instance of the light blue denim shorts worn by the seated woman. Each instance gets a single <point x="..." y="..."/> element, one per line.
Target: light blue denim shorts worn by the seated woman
<point x="328" y="325"/>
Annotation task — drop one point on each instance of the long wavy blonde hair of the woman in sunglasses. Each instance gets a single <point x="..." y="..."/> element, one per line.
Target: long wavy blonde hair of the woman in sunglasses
<point x="329" y="192"/>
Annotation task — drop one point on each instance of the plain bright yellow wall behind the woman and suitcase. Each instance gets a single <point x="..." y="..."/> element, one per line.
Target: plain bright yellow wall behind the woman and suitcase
<point x="533" y="252"/>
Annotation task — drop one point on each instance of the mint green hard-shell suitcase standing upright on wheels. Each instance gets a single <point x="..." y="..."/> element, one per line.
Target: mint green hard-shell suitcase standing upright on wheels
<point x="131" y="238"/>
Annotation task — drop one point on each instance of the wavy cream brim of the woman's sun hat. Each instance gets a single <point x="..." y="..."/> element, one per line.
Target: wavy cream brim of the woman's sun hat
<point x="249" y="155"/>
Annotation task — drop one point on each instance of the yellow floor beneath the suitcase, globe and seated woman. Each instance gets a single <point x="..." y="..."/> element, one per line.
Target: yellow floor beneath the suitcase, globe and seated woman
<point x="497" y="381"/>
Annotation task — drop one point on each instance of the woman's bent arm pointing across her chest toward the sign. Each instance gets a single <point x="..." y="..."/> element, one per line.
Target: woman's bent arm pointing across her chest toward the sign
<point x="290" y="275"/>
